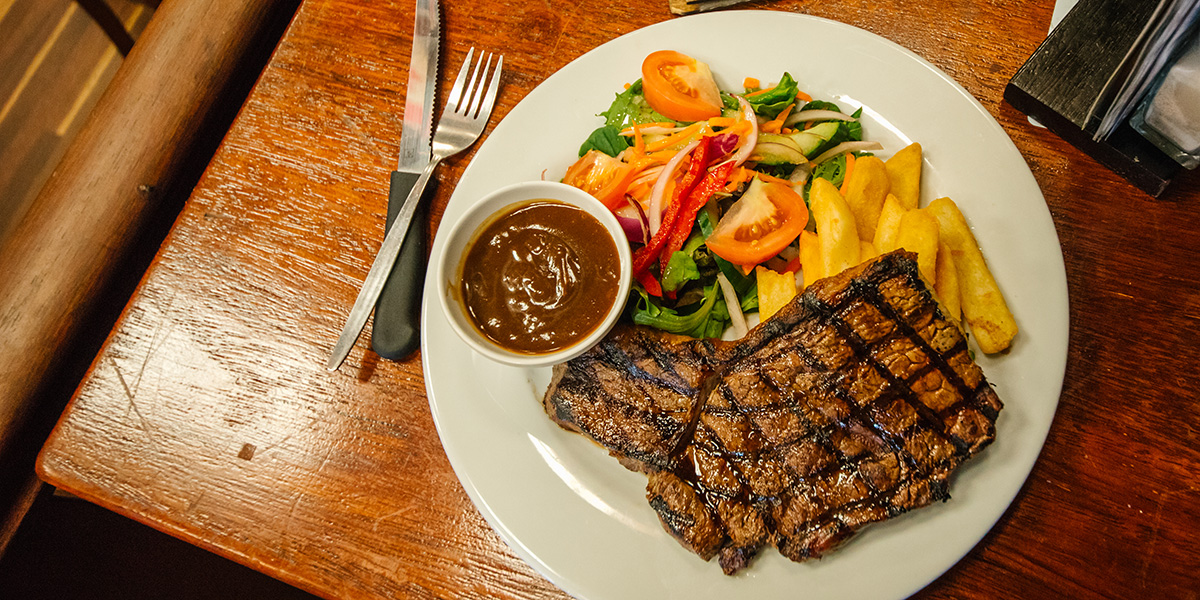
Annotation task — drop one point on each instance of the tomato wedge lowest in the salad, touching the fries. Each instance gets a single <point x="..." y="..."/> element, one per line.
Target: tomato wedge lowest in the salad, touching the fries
<point x="760" y="225"/>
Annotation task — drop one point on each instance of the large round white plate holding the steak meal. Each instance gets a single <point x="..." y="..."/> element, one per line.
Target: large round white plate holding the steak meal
<point x="574" y="513"/>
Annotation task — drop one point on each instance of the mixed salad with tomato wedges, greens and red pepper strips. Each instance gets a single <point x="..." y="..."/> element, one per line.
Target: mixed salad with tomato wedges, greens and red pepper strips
<point x="713" y="188"/>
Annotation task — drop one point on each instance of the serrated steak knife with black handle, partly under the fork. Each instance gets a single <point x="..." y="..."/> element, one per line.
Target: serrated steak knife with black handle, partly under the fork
<point x="397" y="332"/>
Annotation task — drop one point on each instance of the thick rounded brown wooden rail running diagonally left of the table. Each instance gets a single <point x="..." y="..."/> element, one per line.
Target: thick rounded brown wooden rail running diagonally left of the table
<point x="71" y="263"/>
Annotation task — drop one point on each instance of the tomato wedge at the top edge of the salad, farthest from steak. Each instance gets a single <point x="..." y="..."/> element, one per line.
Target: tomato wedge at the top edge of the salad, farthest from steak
<point x="680" y="87"/>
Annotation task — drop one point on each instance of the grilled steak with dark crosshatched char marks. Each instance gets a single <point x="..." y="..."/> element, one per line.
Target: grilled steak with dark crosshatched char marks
<point x="853" y="405"/>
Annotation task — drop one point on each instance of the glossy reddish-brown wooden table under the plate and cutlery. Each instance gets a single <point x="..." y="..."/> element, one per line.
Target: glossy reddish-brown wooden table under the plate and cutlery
<point x="209" y="413"/>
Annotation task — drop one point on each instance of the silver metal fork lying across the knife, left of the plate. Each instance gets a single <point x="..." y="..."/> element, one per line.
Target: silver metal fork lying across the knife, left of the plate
<point x="464" y="119"/>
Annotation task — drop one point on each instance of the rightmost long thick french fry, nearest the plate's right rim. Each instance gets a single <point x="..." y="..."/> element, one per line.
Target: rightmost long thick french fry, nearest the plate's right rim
<point x="983" y="305"/>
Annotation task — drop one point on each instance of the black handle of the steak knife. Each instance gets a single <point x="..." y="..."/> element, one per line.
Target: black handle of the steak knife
<point x="397" y="329"/>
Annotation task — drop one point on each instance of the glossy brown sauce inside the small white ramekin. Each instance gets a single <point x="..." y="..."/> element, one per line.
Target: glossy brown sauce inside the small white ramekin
<point x="541" y="278"/>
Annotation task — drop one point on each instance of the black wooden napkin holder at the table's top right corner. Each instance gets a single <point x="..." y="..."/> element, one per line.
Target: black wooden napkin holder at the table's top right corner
<point x="1060" y="82"/>
